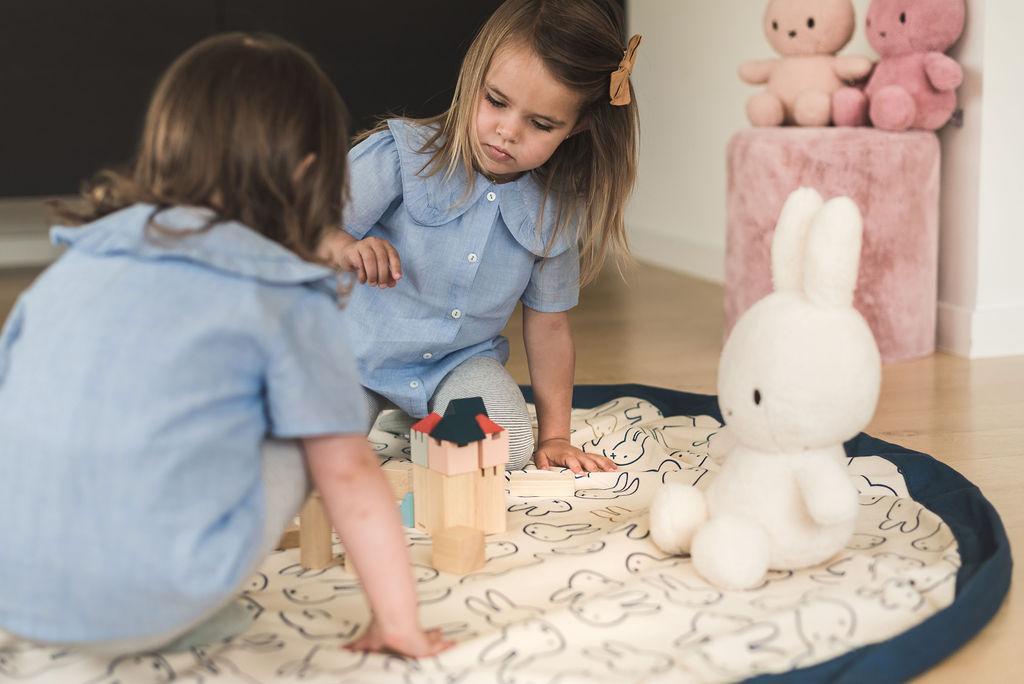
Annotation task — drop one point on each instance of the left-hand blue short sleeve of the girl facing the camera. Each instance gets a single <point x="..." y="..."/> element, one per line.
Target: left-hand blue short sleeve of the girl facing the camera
<point x="375" y="183"/>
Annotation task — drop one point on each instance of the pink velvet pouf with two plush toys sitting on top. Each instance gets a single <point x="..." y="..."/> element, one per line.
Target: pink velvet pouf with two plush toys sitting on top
<point x="893" y="178"/>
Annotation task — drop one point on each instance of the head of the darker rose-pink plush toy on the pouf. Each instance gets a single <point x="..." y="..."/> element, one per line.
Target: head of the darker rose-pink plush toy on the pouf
<point x="902" y="27"/>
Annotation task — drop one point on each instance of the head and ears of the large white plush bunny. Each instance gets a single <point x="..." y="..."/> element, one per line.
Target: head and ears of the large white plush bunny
<point x="801" y="369"/>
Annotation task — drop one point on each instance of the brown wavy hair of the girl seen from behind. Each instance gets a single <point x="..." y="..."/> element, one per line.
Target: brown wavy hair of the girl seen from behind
<point x="230" y="123"/>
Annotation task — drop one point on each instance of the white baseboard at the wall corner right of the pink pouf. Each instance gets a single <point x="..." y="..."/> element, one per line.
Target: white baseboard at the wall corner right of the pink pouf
<point x="982" y="333"/>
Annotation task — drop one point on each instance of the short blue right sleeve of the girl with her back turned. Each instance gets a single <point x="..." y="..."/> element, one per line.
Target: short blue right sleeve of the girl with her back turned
<point x="313" y="384"/>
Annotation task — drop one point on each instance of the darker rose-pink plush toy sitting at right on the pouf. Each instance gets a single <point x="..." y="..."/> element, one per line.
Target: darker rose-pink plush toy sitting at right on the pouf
<point x="915" y="84"/>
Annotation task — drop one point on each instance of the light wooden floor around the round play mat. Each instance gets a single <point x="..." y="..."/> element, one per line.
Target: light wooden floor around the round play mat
<point x="666" y="330"/>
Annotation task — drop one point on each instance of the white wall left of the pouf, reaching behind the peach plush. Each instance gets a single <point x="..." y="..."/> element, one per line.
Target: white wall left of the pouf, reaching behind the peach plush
<point x="692" y="102"/>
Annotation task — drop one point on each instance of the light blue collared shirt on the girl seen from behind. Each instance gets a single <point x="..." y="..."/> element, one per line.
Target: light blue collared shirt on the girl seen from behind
<point x="139" y="377"/>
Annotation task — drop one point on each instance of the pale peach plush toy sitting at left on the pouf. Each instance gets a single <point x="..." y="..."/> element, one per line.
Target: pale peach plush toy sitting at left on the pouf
<point x="802" y="83"/>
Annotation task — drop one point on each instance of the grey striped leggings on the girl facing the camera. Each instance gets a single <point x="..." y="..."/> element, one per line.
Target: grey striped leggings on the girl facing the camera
<point x="479" y="376"/>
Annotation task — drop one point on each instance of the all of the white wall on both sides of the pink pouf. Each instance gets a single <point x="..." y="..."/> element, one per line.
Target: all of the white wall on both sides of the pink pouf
<point x="693" y="102"/>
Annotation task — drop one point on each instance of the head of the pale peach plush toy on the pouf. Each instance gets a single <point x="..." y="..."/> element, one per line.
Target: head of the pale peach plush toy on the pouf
<point x="808" y="27"/>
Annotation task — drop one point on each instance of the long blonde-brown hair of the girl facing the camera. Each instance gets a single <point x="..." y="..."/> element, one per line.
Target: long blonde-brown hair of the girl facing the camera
<point x="591" y="175"/>
